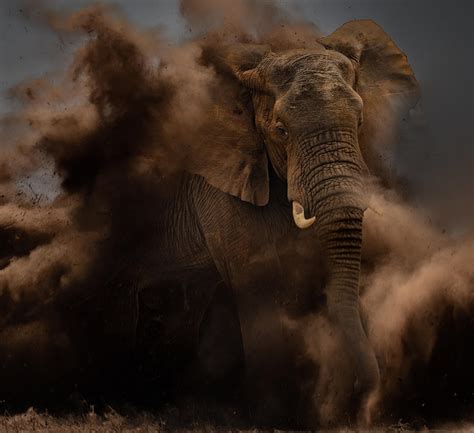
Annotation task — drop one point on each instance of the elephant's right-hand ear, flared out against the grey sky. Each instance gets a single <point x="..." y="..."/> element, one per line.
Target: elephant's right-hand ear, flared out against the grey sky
<point x="386" y="83"/>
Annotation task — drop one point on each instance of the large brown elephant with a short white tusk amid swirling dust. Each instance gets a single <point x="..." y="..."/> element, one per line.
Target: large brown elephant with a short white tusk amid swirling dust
<point x="270" y="209"/>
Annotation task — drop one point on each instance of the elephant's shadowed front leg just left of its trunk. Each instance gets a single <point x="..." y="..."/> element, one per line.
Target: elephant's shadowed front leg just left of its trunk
<point x="279" y="377"/>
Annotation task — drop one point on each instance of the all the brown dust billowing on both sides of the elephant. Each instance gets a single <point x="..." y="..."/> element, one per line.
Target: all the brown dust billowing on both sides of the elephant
<point x="108" y="134"/>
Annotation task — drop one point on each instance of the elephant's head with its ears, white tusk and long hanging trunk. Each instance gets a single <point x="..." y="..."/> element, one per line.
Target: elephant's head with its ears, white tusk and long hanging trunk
<point x="320" y="116"/>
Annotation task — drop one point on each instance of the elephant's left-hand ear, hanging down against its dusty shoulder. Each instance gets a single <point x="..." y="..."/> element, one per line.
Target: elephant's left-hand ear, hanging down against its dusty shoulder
<point x="231" y="156"/>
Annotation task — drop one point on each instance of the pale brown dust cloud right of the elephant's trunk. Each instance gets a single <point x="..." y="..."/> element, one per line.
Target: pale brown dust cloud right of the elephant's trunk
<point x="419" y="302"/>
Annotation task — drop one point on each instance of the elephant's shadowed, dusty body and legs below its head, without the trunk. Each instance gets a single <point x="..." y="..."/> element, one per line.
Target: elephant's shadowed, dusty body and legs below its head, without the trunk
<point x="251" y="251"/>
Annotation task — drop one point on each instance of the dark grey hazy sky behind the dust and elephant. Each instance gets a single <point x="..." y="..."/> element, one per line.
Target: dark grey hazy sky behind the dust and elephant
<point x="436" y="35"/>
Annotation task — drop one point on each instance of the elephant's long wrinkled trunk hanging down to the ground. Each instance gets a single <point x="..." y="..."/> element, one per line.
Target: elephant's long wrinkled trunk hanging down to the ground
<point x="325" y="178"/>
